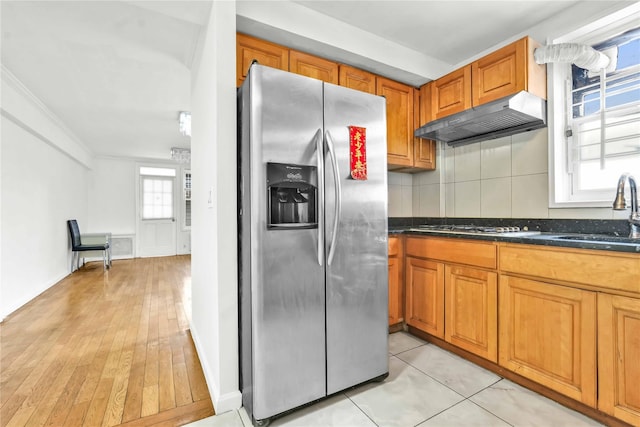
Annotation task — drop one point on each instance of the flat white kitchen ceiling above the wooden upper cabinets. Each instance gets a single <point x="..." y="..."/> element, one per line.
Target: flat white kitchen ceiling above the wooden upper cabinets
<point x="450" y="31"/>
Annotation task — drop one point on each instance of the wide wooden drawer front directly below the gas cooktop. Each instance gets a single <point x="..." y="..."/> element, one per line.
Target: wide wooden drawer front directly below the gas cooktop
<point x="480" y="254"/>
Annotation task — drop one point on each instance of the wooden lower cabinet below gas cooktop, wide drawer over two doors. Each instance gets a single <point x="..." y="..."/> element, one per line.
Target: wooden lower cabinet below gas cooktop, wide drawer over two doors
<point x="455" y="302"/>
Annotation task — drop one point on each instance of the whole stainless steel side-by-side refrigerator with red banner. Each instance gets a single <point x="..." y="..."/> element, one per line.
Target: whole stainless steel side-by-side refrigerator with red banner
<point x="313" y="264"/>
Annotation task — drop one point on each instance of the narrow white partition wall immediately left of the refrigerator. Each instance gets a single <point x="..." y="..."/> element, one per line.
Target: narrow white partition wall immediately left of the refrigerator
<point x="214" y="286"/>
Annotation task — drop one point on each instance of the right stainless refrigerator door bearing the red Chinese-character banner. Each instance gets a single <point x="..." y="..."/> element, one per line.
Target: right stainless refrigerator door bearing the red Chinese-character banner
<point x="357" y="270"/>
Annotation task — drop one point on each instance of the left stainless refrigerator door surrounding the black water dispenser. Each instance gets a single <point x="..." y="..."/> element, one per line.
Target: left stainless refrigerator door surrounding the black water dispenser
<point x="287" y="280"/>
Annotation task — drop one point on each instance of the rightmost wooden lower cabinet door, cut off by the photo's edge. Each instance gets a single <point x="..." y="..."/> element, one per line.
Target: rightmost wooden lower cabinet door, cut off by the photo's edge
<point x="619" y="357"/>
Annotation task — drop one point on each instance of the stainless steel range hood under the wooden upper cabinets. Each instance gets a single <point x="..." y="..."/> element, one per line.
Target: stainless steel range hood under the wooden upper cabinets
<point x="506" y="116"/>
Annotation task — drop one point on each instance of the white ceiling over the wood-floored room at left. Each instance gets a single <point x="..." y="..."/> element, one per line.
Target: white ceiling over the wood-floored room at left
<point x="116" y="73"/>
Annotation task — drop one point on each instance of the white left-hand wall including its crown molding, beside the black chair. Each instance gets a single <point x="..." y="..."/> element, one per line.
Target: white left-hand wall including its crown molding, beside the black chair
<point x="44" y="183"/>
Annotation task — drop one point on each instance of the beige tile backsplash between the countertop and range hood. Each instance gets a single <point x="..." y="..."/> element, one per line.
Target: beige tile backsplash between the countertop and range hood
<point x="499" y="178"/>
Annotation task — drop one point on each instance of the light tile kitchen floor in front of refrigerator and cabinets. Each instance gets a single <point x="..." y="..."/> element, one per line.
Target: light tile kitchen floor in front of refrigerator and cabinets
<point x="426" y="387"/>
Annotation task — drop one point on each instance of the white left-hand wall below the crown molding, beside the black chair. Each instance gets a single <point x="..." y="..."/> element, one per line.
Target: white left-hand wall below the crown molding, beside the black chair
<point x="42" y="188"/>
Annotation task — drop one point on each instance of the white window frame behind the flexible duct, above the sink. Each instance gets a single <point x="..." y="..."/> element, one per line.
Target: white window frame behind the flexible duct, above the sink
<point x="560" y="185"/>
